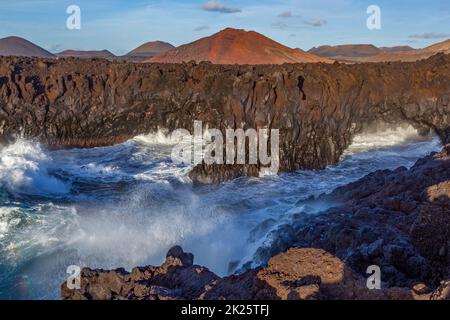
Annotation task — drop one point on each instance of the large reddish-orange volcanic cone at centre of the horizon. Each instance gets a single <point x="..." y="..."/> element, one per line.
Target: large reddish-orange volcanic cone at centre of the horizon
<point x="233" y="46"/>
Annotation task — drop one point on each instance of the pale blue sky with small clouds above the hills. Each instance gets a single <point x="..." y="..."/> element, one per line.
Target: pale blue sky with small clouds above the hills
<point x="121" y="25"/>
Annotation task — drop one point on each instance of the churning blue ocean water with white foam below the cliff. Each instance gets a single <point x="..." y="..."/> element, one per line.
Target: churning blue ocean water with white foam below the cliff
<point x="126" y="205"/>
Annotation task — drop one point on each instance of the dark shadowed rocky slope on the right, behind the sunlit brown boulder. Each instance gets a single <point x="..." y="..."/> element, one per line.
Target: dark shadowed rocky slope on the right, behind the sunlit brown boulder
<point x="398" y="220"/>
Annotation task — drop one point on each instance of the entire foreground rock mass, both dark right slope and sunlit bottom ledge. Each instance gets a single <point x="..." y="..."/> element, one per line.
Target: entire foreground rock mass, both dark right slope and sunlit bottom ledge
<point x="399" y="220"/>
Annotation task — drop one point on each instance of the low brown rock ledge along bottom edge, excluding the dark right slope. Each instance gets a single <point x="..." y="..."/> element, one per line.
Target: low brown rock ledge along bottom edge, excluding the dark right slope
<point x="297" y="274"/>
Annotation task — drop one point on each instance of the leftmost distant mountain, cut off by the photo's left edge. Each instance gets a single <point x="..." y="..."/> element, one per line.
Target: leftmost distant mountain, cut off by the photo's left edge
<point x="16" y="46"/>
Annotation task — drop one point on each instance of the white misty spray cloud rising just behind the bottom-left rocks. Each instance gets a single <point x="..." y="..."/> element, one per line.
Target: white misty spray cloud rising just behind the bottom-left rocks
<point x="133" y="233"/>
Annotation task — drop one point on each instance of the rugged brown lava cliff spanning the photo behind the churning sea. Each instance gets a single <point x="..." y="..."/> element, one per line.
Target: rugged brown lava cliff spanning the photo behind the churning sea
<point x="316" y="107"/>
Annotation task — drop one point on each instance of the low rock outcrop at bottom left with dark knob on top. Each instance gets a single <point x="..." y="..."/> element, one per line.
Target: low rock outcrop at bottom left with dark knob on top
<point x="177" y="278"/>
